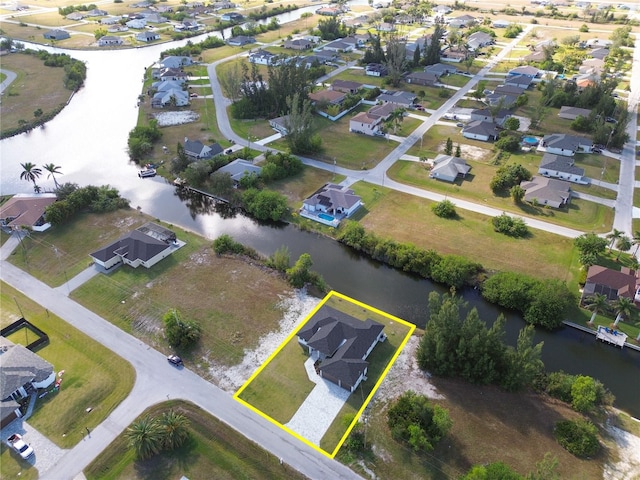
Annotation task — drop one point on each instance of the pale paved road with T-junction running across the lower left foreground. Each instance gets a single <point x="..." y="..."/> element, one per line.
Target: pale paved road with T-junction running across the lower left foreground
<point x="156" y="379"/>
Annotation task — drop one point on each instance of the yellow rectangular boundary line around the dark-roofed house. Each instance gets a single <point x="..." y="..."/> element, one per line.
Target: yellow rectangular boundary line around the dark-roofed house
<point x="411" y="327"/>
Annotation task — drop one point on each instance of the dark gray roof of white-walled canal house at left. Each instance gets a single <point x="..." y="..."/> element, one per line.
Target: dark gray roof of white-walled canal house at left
<point x="140" y="244"/>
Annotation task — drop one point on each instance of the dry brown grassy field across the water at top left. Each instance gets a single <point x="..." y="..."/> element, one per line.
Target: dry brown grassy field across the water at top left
<point x="36" y="86"/>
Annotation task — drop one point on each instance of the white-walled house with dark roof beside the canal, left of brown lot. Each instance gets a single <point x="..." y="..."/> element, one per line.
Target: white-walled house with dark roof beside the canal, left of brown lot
<point x="145" y="246"/>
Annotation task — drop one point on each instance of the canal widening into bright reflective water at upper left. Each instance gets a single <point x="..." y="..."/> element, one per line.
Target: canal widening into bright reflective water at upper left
<point x="88" y="140"/>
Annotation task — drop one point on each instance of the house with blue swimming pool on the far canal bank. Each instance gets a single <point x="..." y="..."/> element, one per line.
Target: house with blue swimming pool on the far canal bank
<point x="330" y="204"/>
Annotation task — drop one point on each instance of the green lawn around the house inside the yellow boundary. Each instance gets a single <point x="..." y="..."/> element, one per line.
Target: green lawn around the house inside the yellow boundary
<point x="282" y="385"/>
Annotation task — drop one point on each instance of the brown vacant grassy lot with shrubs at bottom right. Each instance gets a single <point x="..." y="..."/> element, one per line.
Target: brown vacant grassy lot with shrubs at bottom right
<point x="489" y="425"/>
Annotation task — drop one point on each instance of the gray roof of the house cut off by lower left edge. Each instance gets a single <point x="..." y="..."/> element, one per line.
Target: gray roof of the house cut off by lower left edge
<point x="20" y="366"/>
